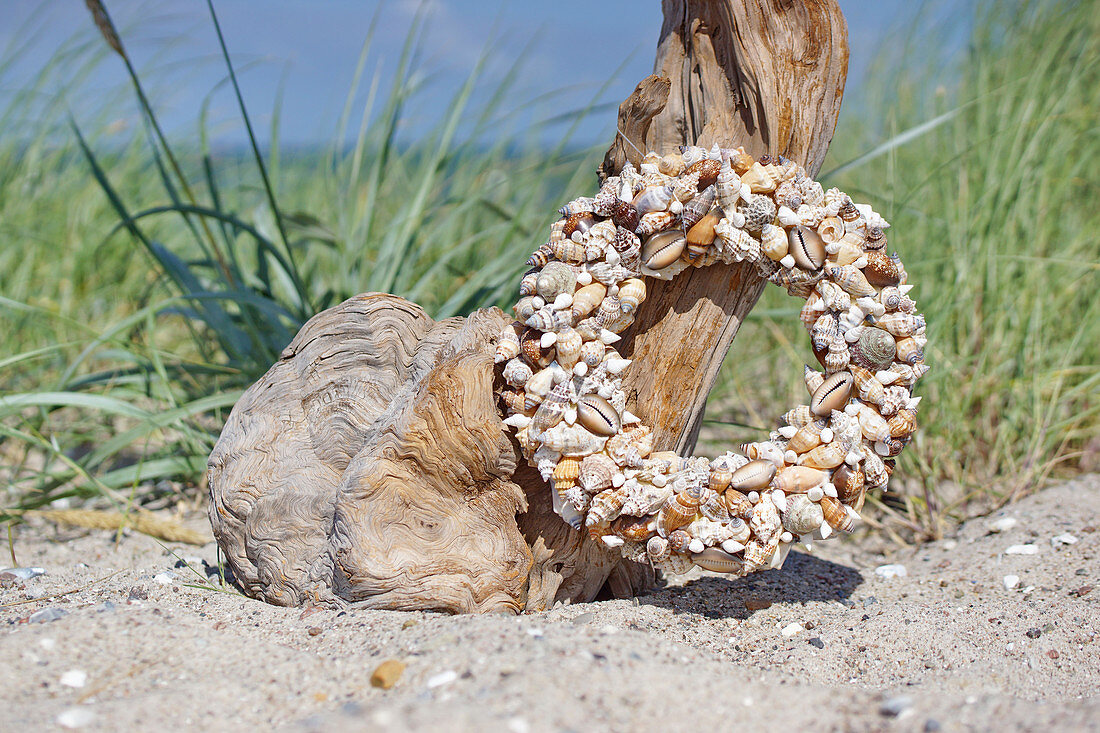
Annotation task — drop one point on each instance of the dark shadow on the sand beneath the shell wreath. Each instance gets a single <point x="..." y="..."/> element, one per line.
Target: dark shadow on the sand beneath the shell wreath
<point x="802" y="578"/>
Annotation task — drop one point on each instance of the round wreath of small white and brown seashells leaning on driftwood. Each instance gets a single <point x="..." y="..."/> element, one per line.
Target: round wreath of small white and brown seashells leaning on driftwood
<point x="740" y="512"/>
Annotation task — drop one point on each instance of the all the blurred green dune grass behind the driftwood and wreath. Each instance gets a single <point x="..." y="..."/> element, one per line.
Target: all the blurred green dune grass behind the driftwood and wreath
<point x="146" y="285"/>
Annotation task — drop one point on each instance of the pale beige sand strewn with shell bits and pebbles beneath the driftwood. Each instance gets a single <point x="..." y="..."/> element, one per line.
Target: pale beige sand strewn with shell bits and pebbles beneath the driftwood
<point x="826" y="643"/>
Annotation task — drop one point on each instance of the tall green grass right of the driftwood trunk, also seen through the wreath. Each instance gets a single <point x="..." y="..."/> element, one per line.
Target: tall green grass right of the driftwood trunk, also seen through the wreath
<point x="994" y="212"/>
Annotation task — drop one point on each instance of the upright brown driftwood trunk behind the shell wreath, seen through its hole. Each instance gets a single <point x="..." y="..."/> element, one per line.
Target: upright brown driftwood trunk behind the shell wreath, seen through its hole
<point x="768" y="75"/>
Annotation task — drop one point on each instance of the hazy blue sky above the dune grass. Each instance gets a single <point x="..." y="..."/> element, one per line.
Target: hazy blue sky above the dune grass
<point x="571" y="48"/>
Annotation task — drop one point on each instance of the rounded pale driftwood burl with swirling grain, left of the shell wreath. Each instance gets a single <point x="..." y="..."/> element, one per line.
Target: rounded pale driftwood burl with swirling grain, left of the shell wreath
<point x="370" y="467"/>
